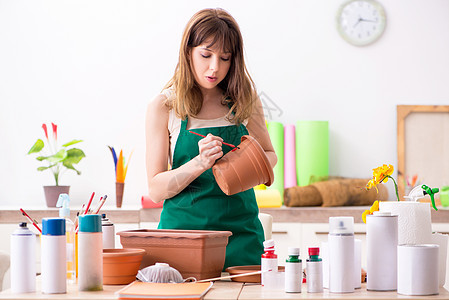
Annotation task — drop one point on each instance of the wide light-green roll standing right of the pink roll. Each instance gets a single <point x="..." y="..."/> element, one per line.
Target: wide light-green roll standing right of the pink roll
<point x="312" y="151"/>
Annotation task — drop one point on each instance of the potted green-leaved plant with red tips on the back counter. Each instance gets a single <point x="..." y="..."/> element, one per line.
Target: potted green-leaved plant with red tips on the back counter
<point x="58" y="159"/>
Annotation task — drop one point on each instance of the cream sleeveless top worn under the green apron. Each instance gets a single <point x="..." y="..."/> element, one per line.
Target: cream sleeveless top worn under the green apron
<point x="174" y="124"/>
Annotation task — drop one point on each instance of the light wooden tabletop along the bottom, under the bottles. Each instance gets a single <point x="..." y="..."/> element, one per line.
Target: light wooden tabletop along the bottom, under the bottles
<point x="225" y="290"/>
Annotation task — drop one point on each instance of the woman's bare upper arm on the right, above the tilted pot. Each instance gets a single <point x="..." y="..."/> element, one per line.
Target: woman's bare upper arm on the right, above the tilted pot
<point x="258" y="129"/>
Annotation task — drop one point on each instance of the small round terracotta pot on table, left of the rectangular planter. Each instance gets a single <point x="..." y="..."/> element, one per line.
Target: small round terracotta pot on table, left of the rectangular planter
<point x="120" y="266"/>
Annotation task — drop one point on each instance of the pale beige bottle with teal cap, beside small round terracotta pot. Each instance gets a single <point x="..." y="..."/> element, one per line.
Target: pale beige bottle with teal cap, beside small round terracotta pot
<point x="90" y="253"/>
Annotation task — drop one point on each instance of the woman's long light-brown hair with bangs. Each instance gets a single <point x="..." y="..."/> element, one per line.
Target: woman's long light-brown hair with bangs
<point x="239" y="89"/>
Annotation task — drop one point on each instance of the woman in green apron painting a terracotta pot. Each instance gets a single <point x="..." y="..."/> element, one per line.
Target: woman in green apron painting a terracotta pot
<point x="211" y="93"/>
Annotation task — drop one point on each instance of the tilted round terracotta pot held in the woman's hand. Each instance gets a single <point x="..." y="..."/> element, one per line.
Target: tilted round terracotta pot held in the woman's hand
<point x="243" y="168"/>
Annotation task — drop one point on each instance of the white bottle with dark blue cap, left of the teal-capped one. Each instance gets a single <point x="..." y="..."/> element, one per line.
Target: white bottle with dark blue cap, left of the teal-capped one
<point x="53" y="256"/>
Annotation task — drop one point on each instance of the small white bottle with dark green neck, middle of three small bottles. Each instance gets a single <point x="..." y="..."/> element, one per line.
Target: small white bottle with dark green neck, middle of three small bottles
<point x="293" y="271"/>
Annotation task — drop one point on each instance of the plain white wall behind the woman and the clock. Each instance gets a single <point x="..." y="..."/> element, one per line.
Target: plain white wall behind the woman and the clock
<point x="92" y="66"/>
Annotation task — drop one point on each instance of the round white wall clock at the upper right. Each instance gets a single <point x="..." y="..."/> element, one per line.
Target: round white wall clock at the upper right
<point x="361" y="22"/>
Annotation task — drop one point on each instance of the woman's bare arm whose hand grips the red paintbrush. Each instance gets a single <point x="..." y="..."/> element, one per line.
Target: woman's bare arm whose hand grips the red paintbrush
<point x="164" y="183"/>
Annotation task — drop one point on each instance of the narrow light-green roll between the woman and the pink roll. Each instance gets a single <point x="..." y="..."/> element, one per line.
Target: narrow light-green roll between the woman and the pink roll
<point x="276" y="132"/>
